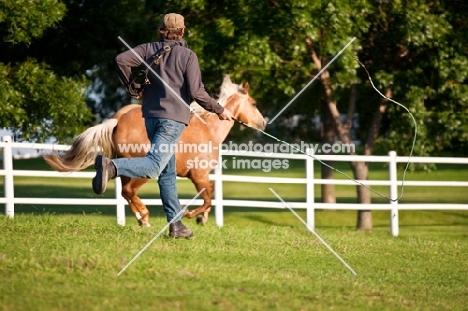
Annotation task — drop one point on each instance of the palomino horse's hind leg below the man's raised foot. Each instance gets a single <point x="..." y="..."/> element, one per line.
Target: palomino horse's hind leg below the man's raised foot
<point x="130" y="187"/>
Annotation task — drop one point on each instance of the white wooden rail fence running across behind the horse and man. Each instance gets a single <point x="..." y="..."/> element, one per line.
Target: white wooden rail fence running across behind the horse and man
<point x="310" y="205"/>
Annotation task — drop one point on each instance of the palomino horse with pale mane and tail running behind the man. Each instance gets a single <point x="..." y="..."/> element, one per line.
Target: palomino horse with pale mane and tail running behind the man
<point x="126" y="128"/>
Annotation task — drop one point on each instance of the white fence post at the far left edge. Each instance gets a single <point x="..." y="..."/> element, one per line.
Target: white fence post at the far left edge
<point x="8" y="178"/>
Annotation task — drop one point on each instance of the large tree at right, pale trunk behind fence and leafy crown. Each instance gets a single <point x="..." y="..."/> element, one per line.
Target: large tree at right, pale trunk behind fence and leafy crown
<point x="405" y="44"/>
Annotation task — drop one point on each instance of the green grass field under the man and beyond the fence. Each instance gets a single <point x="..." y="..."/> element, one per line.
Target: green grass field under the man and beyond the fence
<point x="68" y="257"/>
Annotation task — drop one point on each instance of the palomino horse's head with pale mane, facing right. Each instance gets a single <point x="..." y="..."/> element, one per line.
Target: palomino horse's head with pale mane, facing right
<point x="244" y="108"/>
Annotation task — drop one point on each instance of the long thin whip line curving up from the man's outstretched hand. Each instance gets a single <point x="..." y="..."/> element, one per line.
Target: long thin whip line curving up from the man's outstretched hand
<point x="337" y="170"/>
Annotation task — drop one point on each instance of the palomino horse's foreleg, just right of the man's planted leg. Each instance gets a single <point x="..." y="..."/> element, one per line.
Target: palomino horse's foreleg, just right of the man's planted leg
<point x="201" y="180"/>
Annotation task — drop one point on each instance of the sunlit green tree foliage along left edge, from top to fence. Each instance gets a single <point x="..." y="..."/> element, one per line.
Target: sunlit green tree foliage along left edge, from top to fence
<point x="36" y="102"/>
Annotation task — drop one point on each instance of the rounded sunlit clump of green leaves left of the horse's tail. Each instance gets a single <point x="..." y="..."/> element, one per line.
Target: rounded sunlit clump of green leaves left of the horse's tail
<point x="55" y="109"/>
